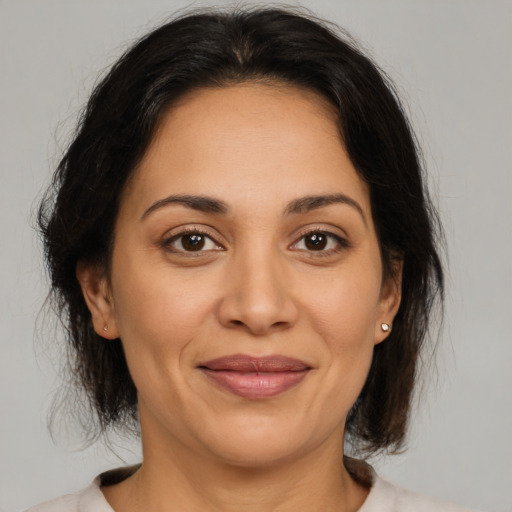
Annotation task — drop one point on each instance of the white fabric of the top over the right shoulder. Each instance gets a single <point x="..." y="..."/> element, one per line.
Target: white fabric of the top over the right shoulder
<point x="386" y="497"/>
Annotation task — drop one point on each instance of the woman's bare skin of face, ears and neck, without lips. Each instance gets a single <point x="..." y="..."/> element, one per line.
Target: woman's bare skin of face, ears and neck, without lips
<point x="256" y="288"/>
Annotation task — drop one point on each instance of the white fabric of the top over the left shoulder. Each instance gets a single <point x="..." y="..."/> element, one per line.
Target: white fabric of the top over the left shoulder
<point x="90" y="499"/>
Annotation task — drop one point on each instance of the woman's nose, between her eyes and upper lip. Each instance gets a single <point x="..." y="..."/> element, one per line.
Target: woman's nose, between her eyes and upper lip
<point x="258" y="296"/>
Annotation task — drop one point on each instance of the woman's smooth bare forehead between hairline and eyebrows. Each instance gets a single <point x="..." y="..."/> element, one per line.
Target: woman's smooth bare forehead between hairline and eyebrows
<point x="267" y="143"/>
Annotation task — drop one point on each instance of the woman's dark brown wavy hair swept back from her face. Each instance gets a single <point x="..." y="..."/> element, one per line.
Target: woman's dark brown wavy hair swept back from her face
<point x="214" y="49"/>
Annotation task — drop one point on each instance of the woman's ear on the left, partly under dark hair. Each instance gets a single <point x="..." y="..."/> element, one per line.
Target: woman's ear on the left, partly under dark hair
<point x="96" y="291"/>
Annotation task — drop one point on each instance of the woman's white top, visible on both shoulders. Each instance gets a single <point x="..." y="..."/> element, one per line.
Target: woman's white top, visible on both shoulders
<point x="383" y="497"/>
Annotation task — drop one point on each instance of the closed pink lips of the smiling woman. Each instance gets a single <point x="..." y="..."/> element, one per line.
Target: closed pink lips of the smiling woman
<point x="255" y="377"/>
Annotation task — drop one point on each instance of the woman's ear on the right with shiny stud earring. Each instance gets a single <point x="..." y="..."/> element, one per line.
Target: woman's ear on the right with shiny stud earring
<point x="389" y="302"/>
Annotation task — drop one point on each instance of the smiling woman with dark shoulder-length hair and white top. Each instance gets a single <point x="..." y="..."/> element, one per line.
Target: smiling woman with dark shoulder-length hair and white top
<point x="244" y="250"/>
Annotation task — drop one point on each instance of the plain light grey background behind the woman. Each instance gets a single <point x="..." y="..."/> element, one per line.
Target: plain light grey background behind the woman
<point x="452" y="61"/>
